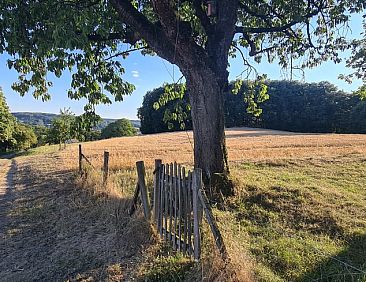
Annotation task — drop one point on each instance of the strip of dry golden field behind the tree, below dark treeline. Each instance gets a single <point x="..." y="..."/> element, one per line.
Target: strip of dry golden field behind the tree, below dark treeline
<point x="244" y="144"/>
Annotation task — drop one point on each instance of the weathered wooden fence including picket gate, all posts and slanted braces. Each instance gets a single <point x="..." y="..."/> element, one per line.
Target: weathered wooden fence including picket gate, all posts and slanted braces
<point x="179" y="203"/>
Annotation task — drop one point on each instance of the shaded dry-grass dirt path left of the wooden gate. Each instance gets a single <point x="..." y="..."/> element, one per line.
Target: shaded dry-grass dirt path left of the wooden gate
<point x="52" y="230"/>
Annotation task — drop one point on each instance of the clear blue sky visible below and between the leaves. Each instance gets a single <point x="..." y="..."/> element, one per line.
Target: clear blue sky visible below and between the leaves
<point x="146" y="73"/>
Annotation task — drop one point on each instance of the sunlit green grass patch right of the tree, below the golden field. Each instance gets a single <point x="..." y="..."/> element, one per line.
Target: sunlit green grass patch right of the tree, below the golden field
<point x="302" y="220"/>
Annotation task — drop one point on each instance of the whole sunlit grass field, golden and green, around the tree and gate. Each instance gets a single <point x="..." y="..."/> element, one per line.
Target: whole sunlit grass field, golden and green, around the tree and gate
<point x="299" y="212"/>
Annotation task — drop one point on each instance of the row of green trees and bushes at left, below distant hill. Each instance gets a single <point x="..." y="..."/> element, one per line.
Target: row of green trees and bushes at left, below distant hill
<point x="15" y="136"/>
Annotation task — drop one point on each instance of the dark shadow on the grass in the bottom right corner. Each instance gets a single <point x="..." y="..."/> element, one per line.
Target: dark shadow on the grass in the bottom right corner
<point x="348" y="265"/>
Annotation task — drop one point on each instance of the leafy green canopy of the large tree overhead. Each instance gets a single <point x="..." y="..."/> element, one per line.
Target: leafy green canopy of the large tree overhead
<point x="88" y="38"/>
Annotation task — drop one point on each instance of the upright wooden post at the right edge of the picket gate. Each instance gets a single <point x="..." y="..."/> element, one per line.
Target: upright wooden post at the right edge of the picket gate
<point x="196" y="186"/>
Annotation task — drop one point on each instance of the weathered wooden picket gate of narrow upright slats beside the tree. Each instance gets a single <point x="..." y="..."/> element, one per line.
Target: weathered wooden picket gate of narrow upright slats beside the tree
<point x="177" y="212"/>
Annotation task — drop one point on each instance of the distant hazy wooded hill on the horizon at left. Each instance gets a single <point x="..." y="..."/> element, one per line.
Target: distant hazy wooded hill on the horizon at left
<point x="45" y="119"/>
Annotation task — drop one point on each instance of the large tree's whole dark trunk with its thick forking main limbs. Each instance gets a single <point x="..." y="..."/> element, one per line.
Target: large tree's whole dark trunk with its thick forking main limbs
<point x="204" y="67"/>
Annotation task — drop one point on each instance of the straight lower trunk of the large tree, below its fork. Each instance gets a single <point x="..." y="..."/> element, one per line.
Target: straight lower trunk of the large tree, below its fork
<point x="206" y="99"/>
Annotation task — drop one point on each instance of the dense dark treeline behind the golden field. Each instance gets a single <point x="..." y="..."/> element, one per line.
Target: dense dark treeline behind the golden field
<point x="292" y="106"/>
